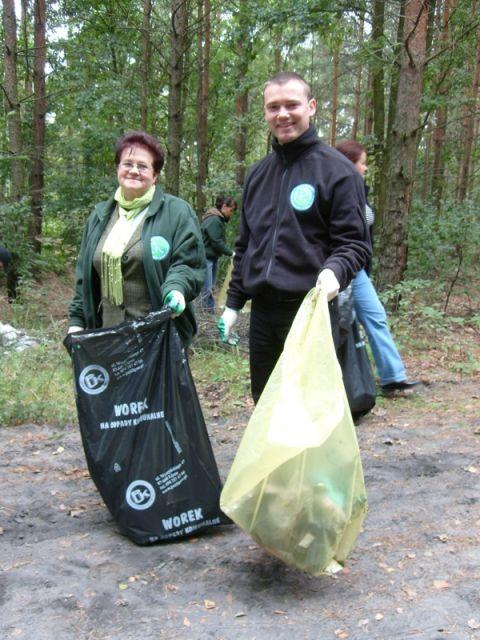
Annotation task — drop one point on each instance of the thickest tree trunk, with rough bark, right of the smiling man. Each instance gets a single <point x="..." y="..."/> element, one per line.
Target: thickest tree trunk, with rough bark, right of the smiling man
<point x="401" y="169"/>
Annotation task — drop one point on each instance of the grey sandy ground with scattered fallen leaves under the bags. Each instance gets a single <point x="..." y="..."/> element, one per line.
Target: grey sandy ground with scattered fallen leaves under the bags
<point x="67" y="572"/>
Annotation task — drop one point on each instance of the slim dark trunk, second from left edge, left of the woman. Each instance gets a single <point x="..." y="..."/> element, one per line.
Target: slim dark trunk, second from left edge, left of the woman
<point x="39" y="111"/>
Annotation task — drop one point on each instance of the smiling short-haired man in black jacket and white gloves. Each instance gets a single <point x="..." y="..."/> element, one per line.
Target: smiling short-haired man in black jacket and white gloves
<point x="302" y="225"/>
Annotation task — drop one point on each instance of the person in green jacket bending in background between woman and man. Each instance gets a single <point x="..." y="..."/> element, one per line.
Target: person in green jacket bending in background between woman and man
<point x="213" y="232"/>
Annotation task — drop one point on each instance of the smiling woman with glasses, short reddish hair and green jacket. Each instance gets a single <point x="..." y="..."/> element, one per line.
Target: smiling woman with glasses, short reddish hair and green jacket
<point x="141" y="249"/>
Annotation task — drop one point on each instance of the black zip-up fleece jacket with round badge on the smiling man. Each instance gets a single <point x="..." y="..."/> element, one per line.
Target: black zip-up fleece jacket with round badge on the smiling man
<point x="303" y="211"/>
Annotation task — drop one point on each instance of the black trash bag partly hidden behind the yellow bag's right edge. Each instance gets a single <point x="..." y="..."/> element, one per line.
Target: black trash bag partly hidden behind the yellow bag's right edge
<point x="357" y="373"/>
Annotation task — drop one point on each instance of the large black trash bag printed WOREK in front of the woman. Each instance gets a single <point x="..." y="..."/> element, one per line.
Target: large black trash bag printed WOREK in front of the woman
<point x="143" y="432"/>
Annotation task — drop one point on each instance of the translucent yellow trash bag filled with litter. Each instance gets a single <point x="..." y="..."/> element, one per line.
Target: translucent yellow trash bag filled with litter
<point x="296" y="484"/>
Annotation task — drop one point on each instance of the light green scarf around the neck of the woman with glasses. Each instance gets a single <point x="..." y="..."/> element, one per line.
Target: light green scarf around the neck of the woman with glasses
<point x="120" y="234"/>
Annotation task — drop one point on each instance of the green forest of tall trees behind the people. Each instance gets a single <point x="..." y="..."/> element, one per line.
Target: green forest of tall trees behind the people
<point x="400" y="76"/>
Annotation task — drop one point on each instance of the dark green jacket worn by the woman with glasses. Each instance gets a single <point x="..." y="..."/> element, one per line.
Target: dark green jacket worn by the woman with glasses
<point x="181" y="269"/>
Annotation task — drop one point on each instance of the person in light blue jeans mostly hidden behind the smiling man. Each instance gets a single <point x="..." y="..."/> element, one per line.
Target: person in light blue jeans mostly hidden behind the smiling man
<point x="368" y="308"/>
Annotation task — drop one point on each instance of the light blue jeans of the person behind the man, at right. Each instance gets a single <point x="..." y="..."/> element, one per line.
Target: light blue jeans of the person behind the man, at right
<point x="372" y="317"/>
